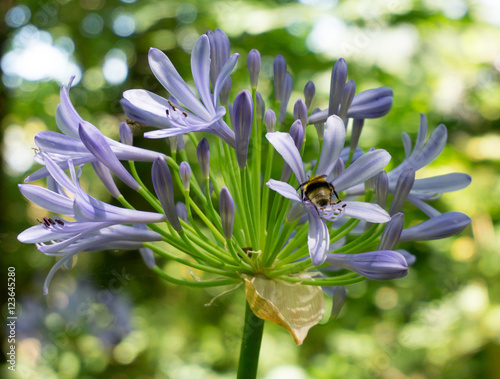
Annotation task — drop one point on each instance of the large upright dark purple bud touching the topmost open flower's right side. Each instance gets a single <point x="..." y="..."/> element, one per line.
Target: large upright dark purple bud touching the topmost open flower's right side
<point x="243" y="121"/>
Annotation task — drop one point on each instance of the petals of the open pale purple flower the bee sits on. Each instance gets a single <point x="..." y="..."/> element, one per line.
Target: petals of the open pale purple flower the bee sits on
<point x="362" y="169"/>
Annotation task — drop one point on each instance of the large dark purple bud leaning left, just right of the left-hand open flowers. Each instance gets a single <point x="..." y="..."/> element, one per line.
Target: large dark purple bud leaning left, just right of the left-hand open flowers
<point x="164" y="188"/>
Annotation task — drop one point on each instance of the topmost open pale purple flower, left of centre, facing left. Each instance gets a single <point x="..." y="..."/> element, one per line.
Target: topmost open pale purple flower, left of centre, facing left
<point x="196" y="116"/>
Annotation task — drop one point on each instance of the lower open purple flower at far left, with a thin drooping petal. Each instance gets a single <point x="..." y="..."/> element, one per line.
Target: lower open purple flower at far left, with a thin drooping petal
<point x="97" y="224"/>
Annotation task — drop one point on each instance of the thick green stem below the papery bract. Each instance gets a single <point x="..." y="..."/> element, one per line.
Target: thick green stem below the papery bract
<point x="250" y="345"/>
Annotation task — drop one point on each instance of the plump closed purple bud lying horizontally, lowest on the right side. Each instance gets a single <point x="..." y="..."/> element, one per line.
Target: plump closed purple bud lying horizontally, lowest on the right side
<point x="376" y="265"/>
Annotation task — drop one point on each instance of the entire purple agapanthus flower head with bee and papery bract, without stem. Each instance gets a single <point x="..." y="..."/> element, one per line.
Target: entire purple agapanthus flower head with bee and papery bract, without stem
<point x="235" y="222"/>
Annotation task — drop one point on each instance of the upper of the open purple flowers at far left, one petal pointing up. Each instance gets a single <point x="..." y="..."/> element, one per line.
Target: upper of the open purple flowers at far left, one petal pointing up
<point x="62" y="147"/>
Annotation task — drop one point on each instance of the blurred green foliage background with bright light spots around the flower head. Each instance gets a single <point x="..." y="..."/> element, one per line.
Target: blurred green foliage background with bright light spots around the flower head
<point x="110" y="318"/>
